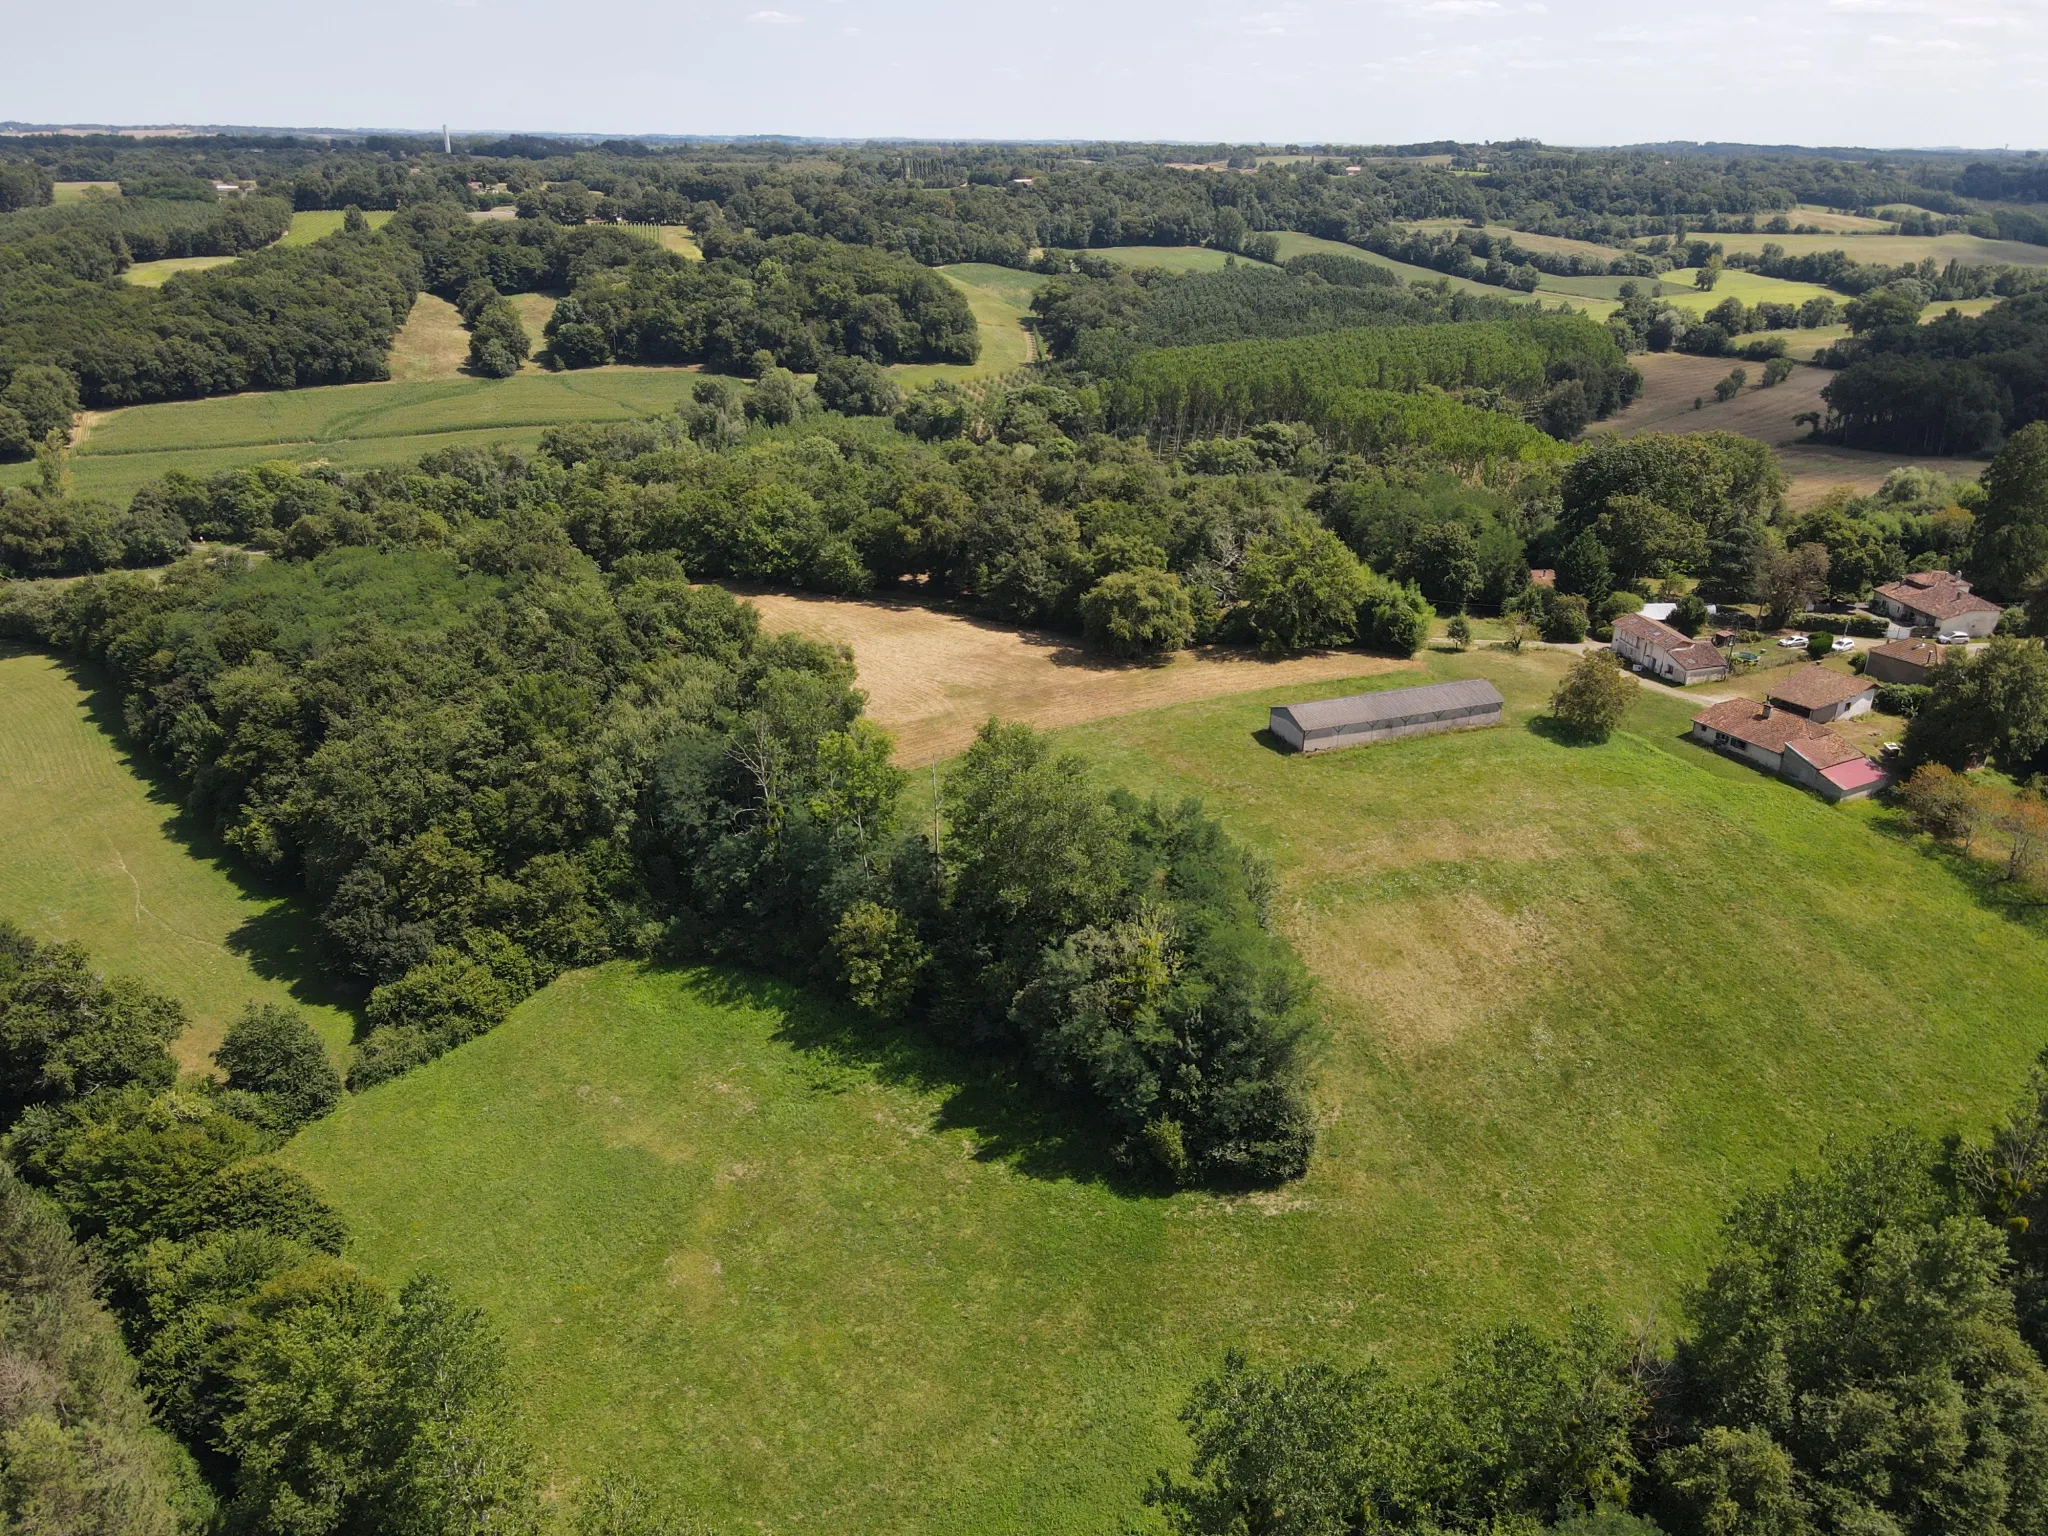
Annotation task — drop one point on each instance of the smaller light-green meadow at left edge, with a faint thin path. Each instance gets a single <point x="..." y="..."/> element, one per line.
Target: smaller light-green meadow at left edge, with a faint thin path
<point x="91" y="851"/>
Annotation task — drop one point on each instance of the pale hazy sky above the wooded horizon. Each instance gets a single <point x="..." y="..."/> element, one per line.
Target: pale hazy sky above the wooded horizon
<point x="1840" y="73"/>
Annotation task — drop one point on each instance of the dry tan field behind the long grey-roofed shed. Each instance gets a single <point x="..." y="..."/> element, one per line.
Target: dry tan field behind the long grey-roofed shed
<point x="933" y="679"/>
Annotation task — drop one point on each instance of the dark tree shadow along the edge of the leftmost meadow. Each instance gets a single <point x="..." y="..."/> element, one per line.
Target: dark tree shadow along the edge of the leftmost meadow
<point x="280" y="941"/>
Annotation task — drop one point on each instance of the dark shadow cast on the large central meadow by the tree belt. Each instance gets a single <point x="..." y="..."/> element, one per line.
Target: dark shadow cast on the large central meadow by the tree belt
<point x="992" y="1097"/>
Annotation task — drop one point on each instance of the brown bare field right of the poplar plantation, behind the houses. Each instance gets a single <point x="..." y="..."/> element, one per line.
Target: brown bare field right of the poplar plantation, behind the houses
<point x="1674" y="380"/>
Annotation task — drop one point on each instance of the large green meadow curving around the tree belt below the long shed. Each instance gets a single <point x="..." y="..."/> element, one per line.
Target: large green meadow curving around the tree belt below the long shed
<point x="824" y="1277"/>
